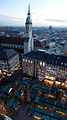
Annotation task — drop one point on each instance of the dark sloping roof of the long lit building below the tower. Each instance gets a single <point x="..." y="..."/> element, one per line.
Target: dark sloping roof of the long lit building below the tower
<point x="58" y="60"/>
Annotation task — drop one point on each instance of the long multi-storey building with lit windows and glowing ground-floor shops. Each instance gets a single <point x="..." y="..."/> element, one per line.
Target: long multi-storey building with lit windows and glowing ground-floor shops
<point x="50" y="68"/>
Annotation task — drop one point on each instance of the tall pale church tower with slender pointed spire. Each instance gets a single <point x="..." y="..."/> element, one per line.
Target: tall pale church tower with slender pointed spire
<point x="28" y="39"/>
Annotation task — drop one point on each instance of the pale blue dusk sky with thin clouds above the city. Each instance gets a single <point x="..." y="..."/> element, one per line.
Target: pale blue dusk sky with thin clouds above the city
<point x="43" y="12"/>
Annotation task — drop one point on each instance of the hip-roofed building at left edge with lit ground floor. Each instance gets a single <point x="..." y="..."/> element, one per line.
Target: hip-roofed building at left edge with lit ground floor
<point x="9" y="61"/>
